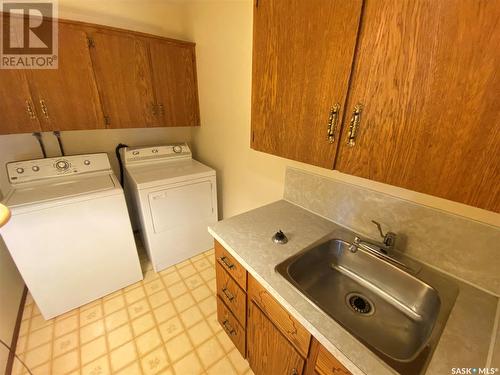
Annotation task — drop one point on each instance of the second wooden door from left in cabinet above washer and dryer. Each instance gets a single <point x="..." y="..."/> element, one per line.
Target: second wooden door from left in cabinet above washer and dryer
<point x="66" y="98"/>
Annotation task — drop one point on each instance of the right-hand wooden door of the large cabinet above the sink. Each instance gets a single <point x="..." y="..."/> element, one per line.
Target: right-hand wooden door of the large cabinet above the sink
<point x="427" y="75"/>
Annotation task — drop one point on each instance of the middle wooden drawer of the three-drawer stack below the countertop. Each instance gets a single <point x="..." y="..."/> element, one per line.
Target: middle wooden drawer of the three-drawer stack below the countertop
<point x="233" y="296"/>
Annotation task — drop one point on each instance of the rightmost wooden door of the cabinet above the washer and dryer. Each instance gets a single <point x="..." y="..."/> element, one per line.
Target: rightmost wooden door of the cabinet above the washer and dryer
<point x="174" y="80"/>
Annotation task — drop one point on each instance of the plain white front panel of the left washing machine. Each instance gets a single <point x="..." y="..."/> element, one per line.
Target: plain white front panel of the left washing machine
<point x="73" y="254"/>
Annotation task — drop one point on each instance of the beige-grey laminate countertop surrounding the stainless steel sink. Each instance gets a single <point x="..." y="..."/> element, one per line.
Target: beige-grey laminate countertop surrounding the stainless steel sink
<point x="467" y="341"/>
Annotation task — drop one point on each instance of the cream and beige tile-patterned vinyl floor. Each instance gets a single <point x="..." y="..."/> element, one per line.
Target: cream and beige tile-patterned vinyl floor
<point x="164" y="324"/>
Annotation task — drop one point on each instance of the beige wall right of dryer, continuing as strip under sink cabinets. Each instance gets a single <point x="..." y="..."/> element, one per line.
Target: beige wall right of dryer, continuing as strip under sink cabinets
<point x="247" y="179"/>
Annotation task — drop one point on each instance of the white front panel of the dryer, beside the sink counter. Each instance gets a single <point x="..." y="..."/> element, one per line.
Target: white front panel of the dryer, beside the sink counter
<point x="184" y="229"/>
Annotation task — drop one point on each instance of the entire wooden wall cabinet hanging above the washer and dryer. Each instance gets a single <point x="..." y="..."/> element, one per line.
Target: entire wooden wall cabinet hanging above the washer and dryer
<point x="106" y="78"/>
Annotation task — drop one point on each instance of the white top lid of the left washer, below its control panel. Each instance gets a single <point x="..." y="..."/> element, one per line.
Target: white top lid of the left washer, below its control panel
<point x="58" y="189"/>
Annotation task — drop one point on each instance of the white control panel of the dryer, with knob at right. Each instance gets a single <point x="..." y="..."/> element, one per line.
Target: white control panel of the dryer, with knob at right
<point x="165" y="152"/>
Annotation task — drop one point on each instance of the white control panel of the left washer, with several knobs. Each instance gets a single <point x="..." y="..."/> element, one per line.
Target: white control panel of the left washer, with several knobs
<point x="38" y="169"/>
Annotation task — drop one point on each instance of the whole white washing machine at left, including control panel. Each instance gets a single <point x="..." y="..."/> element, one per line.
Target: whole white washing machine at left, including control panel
<point x="70" y="234"/>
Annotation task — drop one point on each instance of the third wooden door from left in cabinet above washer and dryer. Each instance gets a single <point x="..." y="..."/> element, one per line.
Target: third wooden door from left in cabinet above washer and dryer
<point x="122" y="71"/>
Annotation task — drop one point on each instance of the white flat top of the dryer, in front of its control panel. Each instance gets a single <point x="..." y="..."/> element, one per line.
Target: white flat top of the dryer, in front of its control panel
<point x="157" y="174"/>
